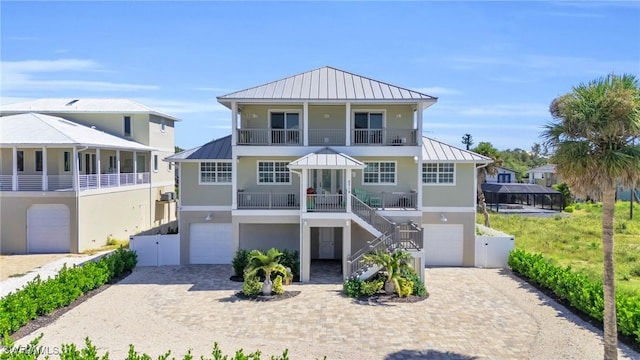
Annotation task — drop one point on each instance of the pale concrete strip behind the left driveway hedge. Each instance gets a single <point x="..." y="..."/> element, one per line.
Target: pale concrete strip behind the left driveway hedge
<point x="46" y="271"/>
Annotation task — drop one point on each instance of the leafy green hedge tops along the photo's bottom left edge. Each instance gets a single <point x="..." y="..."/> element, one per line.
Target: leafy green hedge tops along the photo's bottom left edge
<point x="89" y="352"/>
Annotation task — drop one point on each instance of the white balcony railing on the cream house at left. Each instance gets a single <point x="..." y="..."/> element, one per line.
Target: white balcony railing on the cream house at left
<point x="65" y="182"/>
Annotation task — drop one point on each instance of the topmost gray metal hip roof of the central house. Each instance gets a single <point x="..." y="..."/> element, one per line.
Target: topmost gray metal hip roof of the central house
<point x="327" y="83"/>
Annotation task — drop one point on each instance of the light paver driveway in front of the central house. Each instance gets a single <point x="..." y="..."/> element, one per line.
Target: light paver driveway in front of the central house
<point x="471" y="314"/>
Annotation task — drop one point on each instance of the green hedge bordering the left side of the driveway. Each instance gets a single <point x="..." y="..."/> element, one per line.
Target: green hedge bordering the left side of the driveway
<point x="40" y="297"/>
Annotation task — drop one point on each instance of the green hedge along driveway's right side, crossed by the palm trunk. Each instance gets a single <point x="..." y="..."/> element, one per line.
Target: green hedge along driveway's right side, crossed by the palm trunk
<point x="581" y="292"/>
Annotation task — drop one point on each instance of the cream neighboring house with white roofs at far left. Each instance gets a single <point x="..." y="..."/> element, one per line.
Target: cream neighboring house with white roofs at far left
<point x="74" y="172"/>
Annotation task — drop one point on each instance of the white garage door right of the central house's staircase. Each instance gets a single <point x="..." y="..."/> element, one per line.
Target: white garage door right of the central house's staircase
<point x="443" y="245"/>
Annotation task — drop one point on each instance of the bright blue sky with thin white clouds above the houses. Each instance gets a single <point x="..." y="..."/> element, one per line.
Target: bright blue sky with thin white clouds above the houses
<point x="495" y="66"/>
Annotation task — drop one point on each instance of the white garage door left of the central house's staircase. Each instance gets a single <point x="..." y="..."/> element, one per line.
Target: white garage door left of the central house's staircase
<point x="210" y="244"/>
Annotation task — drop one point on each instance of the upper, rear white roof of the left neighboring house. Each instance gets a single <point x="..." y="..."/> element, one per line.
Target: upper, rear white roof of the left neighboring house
<point x="70" y="105"/>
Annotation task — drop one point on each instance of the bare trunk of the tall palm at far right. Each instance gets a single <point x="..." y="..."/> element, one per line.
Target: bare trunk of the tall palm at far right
<point x="610" y="321"/>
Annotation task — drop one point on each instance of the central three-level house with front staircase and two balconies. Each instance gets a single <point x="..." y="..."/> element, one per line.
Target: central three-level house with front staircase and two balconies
<point x="325" y="162"/>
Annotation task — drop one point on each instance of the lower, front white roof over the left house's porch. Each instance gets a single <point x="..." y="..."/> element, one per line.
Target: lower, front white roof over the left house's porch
<point x="43" y="130"/>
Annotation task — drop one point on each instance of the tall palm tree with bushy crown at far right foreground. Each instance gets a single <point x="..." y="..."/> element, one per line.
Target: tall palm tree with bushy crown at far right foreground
<point x="592" y="133"/>
